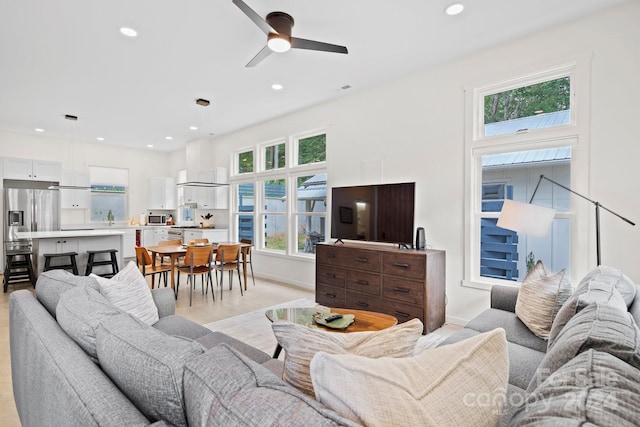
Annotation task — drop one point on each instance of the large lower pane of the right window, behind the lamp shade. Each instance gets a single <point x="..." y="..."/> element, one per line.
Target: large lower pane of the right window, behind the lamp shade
<point x="506" y="254"/>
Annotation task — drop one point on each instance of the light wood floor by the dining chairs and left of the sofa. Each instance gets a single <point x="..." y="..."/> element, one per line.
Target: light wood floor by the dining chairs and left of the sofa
<point x="203" y="310"/>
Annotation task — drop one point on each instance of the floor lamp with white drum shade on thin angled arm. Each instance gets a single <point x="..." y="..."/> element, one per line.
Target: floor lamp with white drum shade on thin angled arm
<point x="536" y="220"/>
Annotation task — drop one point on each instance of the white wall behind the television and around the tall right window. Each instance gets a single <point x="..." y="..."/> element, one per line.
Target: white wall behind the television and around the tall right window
<point x="414" y="129"/>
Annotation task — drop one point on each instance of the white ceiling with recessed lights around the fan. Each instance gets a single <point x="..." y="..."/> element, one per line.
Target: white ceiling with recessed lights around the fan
<point x="68" y="57"/>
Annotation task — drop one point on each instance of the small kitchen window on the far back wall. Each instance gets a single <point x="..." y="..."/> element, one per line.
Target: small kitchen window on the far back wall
<point x="108" y="193"/>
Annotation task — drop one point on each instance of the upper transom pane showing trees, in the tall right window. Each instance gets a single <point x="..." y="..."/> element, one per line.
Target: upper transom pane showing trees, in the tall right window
<point x="537" y="106"/>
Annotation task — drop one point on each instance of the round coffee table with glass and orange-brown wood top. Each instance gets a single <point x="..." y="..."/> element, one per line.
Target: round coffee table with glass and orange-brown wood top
<point x="365" y="321"/>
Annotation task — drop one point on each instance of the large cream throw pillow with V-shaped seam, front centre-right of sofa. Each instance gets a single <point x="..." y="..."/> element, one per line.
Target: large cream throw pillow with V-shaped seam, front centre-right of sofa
<point x="461" y="384"/>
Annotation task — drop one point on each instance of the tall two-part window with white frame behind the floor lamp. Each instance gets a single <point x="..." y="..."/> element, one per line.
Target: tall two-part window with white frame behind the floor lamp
<point x="522" y="128"/>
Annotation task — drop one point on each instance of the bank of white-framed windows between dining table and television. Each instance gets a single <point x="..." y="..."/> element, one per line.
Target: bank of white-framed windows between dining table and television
<point x="282" y="207"/>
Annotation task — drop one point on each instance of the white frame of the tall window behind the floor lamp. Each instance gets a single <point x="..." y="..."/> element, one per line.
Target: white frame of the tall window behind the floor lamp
<point x="575" y="134"/>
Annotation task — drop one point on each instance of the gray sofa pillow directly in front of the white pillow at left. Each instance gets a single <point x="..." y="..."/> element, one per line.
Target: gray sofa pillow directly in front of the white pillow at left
<point x="80" y="311"/>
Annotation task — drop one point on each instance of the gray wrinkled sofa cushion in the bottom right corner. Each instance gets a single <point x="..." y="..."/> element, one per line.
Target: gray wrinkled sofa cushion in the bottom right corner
<point x="594" y="388"/>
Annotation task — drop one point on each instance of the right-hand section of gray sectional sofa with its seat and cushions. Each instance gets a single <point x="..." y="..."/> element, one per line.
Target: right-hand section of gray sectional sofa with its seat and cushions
<point x="588" y="372"/>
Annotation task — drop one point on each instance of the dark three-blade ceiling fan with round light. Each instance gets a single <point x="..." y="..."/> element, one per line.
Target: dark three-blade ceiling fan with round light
<point x="277" y="26"/>
